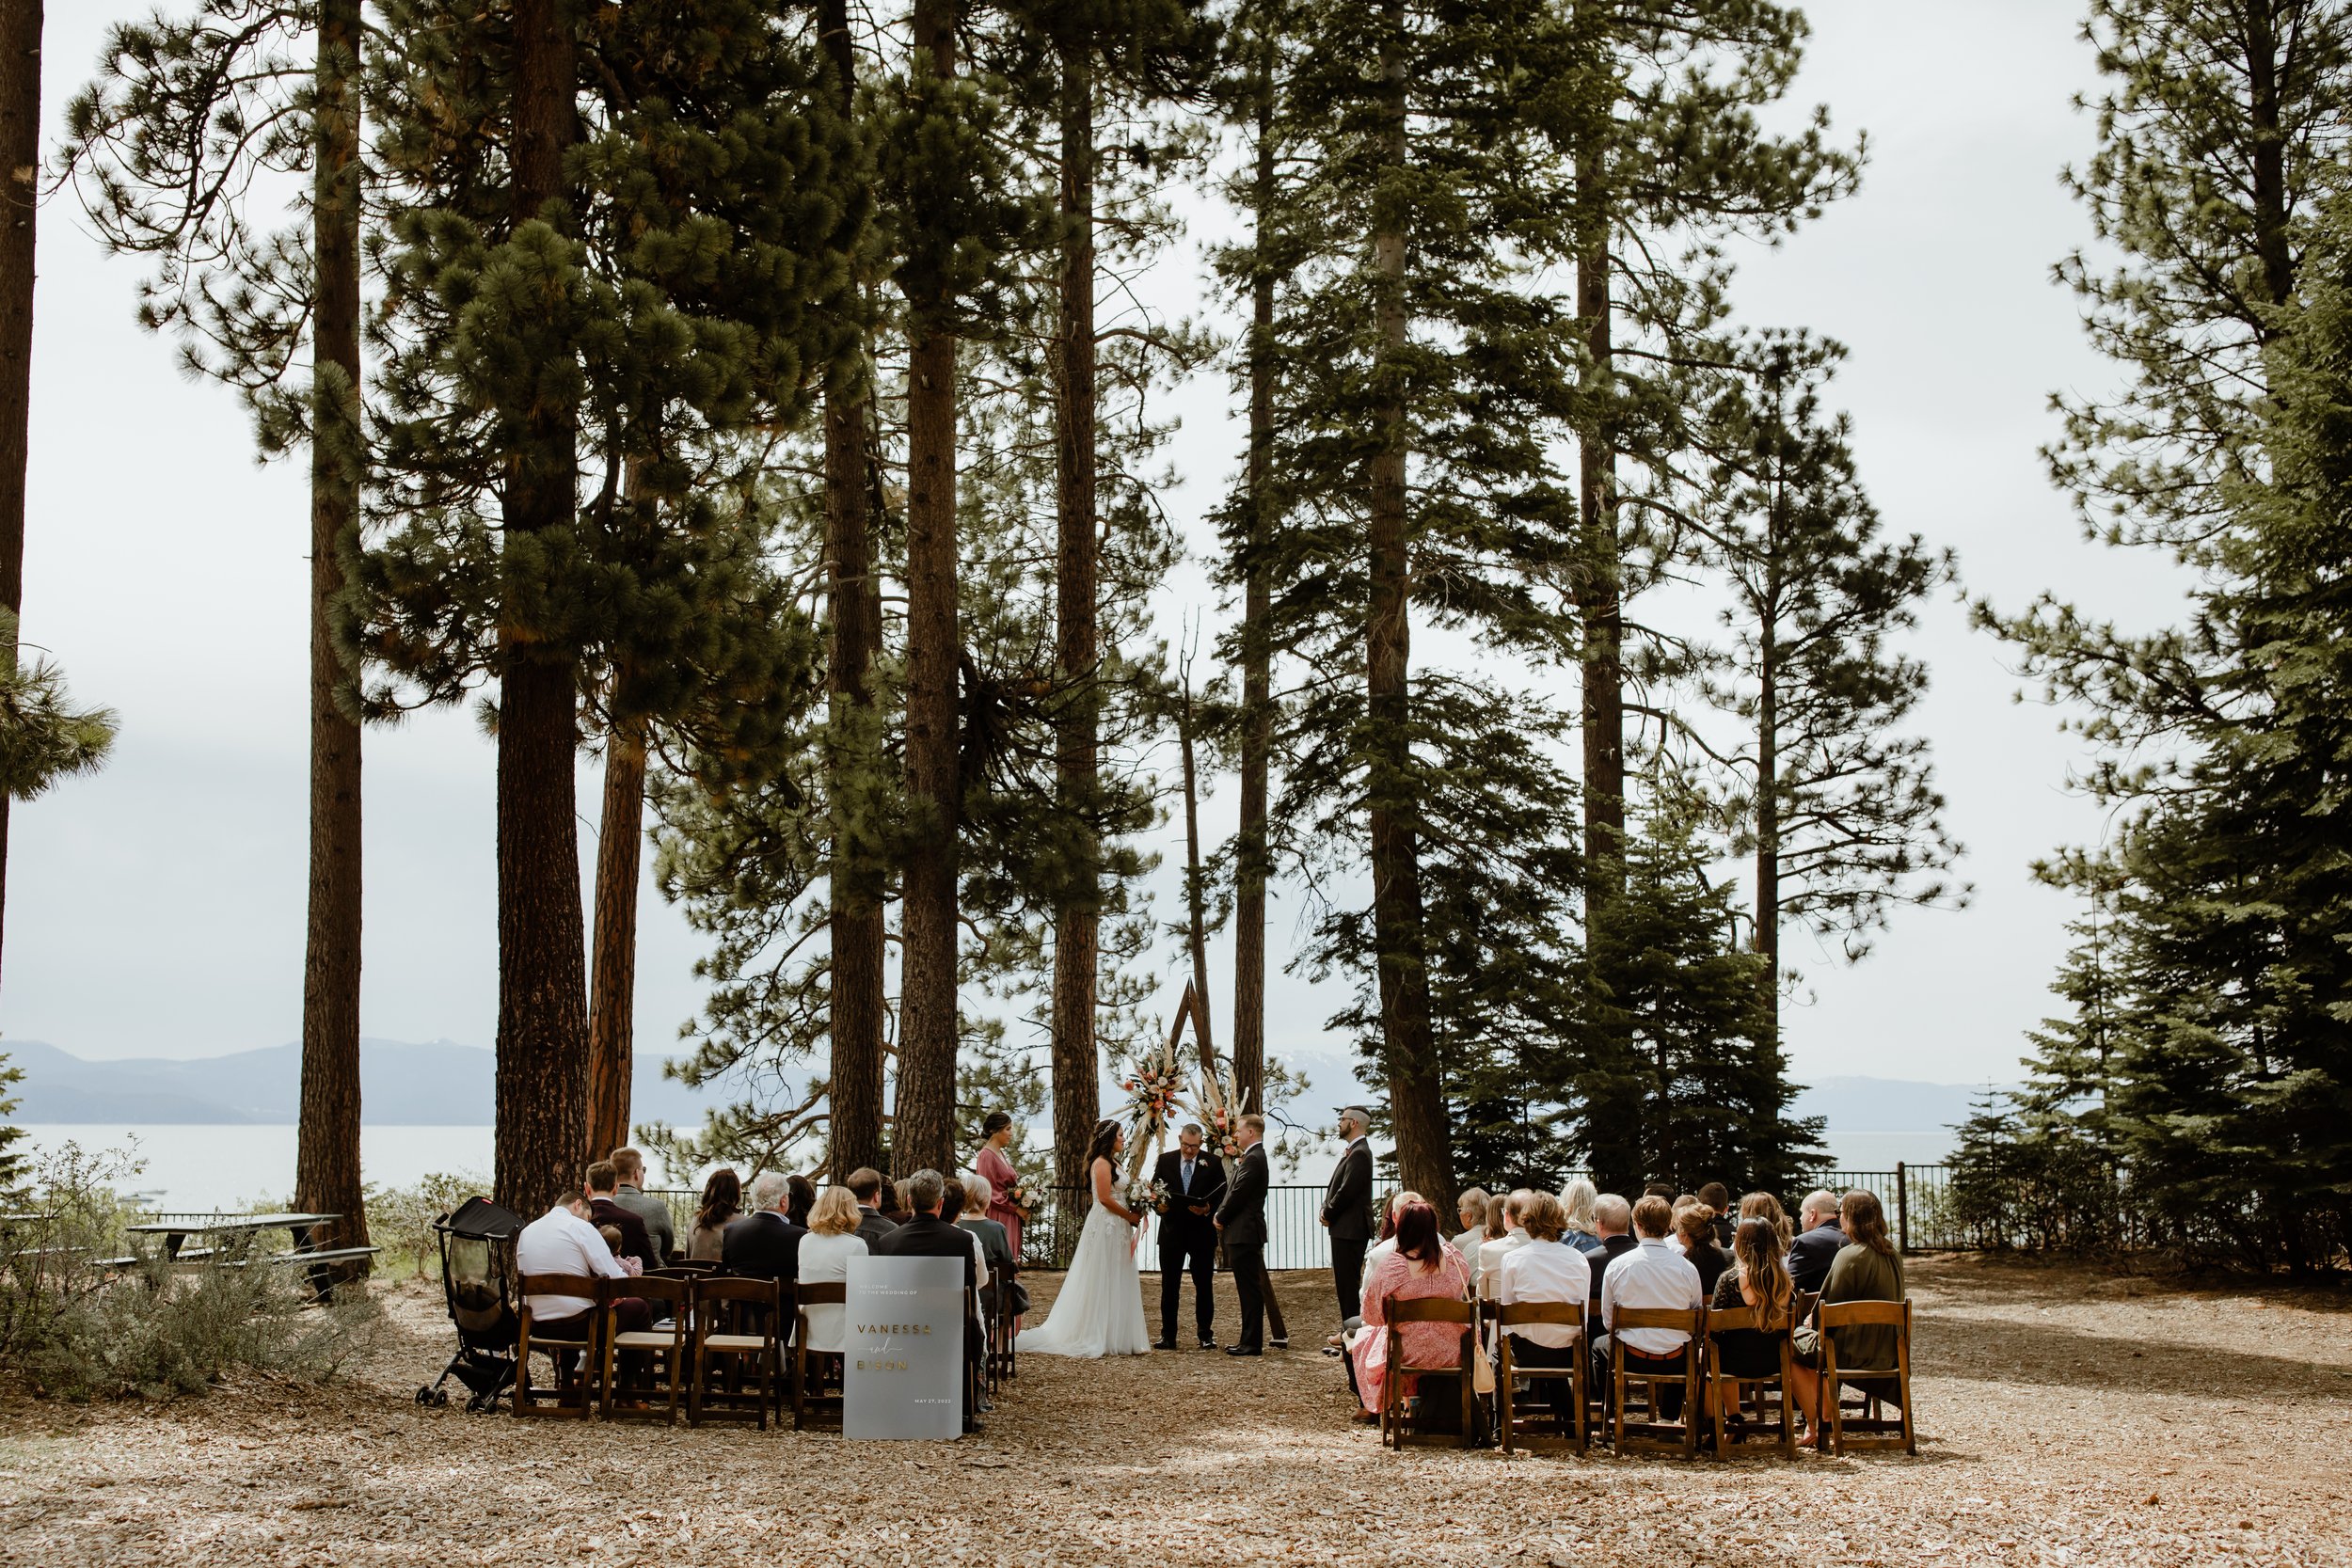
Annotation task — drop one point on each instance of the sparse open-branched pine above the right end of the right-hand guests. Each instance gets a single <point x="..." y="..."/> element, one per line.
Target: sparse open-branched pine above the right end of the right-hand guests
<point x="1831" y="800"/>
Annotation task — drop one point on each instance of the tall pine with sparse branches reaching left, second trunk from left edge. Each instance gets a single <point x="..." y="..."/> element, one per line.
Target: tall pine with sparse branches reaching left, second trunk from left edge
<point x="168" y="145"/>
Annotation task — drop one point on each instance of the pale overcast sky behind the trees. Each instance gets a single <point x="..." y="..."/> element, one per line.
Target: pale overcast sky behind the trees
<point x="159" y="909"/>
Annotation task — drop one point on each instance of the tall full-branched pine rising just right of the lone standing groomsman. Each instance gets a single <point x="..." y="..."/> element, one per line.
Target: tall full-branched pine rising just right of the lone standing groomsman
<point x="1419" y="387"/>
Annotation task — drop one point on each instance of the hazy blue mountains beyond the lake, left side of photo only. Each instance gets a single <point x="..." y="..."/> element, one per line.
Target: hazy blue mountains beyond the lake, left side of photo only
<point x="401" y="1085"/>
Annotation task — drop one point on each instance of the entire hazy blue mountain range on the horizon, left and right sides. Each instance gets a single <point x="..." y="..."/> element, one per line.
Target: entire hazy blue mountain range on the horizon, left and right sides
<point x="448" y="1085"/>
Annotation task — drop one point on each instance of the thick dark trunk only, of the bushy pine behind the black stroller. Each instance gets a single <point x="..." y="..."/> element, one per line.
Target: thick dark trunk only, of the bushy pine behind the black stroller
<point x="542" y="1087"/>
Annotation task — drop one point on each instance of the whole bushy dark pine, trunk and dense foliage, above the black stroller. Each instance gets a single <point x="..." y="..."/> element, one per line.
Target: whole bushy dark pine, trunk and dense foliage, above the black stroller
<point x="610" y="236"/>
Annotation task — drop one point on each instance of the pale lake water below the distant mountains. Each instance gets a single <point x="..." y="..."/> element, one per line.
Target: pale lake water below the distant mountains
<point x="227" y="1167"/>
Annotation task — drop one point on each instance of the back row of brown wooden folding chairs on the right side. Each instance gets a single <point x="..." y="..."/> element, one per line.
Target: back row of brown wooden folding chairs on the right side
<point x="1633" y="1405"/>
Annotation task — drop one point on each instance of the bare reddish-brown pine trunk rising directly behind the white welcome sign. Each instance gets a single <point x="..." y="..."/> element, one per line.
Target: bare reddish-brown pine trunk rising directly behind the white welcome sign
<point x="926" y="1132"/>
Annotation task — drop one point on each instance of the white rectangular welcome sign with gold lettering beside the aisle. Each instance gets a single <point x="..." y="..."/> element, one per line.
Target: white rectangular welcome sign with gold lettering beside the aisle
<point x="904" y="1362"/>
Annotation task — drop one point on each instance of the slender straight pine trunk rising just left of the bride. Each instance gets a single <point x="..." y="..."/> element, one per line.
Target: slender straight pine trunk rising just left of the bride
<point x="1078" y="916"/>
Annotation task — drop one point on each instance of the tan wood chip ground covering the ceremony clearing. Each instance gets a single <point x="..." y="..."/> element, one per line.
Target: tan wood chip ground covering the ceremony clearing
<point x="2069" y="1419"/>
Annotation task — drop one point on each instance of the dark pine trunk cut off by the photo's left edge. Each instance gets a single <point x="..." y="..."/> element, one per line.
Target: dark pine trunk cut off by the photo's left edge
<point x="20" y="194"/>
